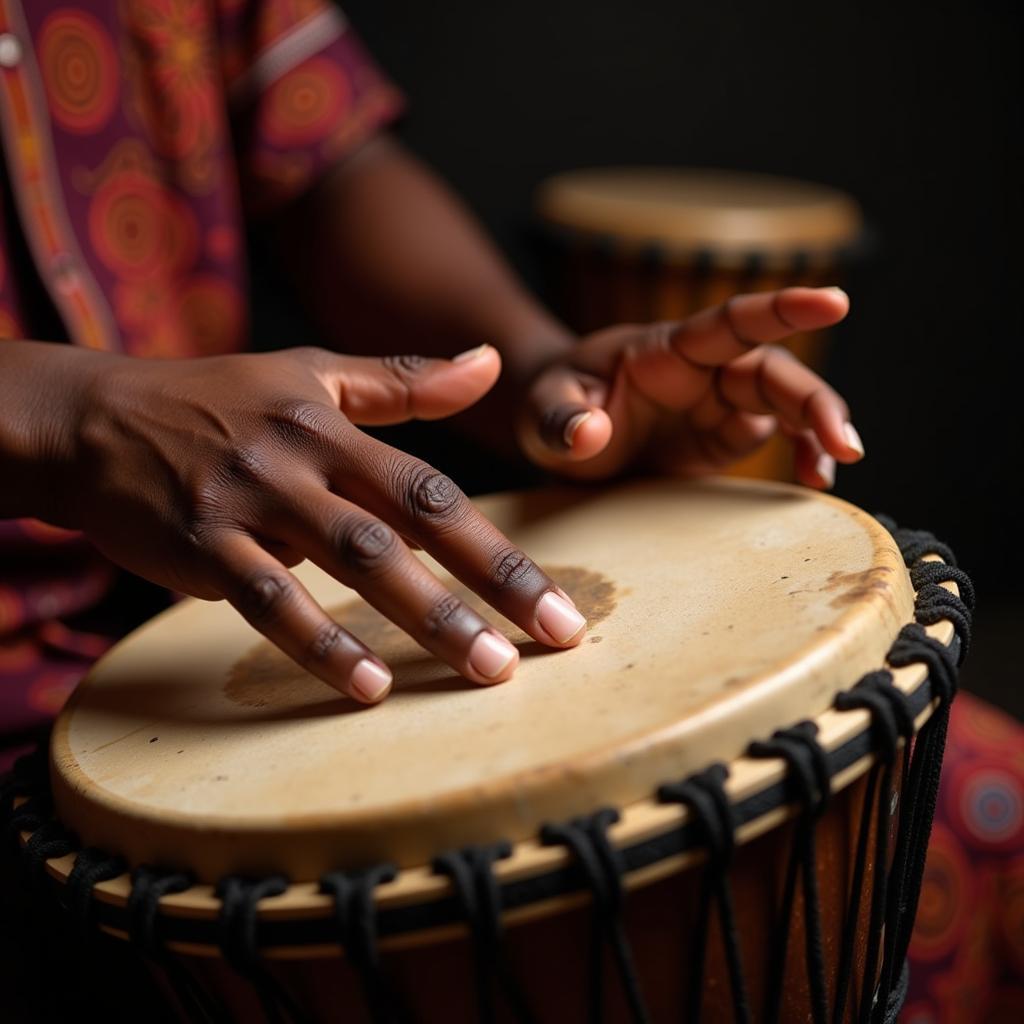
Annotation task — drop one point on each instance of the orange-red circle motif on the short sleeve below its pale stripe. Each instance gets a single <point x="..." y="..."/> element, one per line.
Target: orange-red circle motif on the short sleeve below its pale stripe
<point x="307" y="104"/>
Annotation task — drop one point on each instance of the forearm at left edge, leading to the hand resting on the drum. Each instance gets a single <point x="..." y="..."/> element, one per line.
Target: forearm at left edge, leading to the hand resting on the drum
<point x="41" y="387"/>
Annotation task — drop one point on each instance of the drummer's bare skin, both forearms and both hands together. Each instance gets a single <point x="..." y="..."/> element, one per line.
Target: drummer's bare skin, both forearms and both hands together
<point x="216" y="477"/>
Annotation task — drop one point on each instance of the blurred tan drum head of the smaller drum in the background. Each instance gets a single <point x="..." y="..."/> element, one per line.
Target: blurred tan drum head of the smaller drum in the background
<point x="728" y="214"/>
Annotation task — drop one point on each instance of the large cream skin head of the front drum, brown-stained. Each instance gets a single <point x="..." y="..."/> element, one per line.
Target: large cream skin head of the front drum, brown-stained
<point x="718" y="612"/>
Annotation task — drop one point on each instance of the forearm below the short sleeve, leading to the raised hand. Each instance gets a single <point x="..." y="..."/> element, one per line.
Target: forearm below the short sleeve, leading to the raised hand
<point x="390" y="261"/>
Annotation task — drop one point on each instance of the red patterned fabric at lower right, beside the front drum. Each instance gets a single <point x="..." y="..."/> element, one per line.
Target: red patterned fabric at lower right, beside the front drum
<point x="967" y="958"/>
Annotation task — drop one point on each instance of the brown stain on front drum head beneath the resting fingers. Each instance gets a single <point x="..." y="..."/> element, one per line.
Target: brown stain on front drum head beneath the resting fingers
<point x="267" y="678"/>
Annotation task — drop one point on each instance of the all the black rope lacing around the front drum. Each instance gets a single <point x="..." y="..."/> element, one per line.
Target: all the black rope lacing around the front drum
<point x="26" y="803"/>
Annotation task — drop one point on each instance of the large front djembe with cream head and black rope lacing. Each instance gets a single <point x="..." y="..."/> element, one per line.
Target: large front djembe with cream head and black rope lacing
<point x="715" y="808"/>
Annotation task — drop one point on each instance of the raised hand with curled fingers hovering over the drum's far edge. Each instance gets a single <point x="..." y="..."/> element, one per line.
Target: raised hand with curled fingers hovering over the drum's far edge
<point x="693" y="397"/>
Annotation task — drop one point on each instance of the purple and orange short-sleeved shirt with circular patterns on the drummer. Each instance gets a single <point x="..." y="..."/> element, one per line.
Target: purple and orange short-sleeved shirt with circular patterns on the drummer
<point x="140" y="138"/>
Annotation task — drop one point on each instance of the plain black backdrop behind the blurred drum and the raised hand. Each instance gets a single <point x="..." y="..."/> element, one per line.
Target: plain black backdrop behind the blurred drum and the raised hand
<point x="914" y="109"/>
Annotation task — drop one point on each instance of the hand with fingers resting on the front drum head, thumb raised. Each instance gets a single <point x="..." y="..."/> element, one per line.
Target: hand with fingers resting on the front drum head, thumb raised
<point x="212" y="477"/>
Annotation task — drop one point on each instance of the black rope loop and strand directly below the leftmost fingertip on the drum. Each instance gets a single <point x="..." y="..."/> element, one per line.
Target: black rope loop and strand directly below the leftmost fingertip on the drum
<point x="356" y="915"/>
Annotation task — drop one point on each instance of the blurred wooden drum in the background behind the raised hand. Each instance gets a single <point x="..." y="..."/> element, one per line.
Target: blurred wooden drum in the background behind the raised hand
<point x="658" y="244"/>
